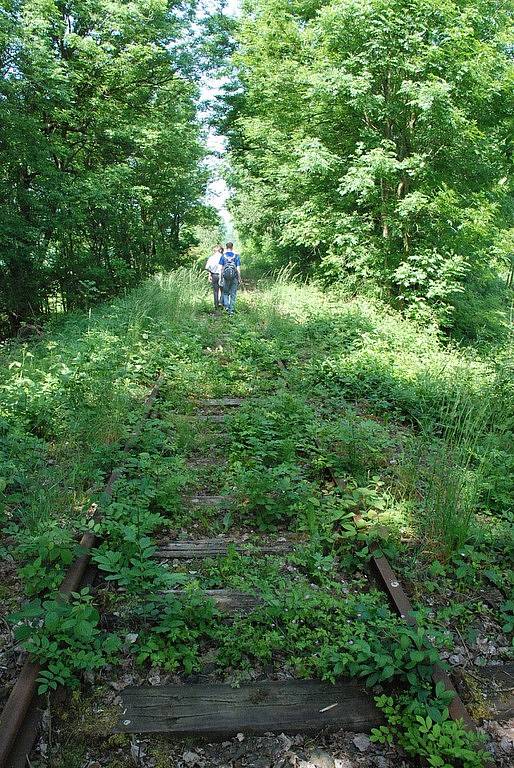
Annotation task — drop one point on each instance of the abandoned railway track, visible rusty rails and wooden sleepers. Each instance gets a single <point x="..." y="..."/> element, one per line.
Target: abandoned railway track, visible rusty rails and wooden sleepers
<point x="213" y="707"/>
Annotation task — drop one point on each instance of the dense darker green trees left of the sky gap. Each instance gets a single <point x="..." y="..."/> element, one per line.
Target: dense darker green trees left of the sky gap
<point x="100" y="151"/>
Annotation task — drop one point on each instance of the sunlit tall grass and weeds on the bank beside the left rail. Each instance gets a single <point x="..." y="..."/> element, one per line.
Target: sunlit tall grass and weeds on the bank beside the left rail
<point x="69" y="398"/>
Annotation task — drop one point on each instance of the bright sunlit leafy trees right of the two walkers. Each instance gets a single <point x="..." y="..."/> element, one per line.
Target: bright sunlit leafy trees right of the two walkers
<point x="374" y="139"/>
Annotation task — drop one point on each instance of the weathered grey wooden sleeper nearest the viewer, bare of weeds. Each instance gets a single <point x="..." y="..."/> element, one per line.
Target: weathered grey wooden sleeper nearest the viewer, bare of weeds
<point x="289" y="706"/>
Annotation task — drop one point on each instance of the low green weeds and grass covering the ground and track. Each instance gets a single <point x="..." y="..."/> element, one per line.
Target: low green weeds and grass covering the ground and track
<point x="411" y="426"/>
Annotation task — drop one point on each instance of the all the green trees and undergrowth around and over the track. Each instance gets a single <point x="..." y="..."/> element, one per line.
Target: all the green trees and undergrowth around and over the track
<point x="369" y="149"/>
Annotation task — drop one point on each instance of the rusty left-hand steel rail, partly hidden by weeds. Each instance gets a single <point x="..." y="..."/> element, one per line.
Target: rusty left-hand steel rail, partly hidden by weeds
<point x="21" y="700"/>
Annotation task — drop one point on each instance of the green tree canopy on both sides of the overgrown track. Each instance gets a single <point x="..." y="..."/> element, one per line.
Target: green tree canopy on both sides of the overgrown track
<point x="369" y="140"/>
